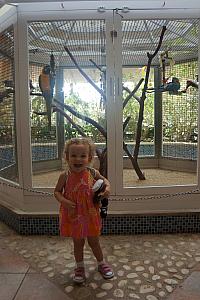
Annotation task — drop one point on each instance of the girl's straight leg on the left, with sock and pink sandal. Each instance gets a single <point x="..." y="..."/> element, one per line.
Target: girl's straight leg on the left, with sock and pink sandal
<point x="79" y="272"/>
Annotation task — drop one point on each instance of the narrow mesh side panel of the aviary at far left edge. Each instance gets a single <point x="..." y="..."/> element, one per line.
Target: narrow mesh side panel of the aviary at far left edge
<point x="8" y="142"/>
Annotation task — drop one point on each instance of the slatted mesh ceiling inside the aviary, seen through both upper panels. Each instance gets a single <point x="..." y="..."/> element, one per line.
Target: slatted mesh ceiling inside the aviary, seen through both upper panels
<point x="86" y="41"/>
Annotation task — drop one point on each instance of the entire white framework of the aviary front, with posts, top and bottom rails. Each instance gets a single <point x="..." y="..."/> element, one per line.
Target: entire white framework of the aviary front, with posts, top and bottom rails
<point x="122" y="199"/>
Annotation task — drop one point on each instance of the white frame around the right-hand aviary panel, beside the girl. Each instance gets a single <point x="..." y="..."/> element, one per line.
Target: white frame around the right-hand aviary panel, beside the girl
<point x="129" y="194"/>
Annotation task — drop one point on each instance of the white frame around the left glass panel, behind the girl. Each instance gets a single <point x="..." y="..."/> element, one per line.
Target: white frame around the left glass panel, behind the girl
<point x="36" y="202"/>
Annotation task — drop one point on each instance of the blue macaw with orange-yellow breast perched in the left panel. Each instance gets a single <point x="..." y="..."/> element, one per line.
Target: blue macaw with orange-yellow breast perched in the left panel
<point x="47" y="83"/>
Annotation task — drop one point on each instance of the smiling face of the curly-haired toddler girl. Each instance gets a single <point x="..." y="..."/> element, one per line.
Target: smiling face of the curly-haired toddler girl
<point x="78" y="157"/>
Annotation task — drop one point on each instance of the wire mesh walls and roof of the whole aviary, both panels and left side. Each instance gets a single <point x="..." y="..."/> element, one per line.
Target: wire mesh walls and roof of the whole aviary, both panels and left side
<point x="78" y="45"/>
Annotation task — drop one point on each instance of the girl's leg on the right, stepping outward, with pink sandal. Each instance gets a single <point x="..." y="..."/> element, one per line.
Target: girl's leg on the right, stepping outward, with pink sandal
<point x="103" y="268"/>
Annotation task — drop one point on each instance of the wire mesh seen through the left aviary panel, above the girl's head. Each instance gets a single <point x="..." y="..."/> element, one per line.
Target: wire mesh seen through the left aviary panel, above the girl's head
<point x="85" y="41"/>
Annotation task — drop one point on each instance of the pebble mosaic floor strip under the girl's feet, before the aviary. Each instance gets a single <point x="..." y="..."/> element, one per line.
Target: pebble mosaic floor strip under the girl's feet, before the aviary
<point x="147" y="267"/>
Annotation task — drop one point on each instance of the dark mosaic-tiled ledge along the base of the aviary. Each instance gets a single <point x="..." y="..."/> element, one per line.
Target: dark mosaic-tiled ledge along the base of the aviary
<point x="114" y="224"/>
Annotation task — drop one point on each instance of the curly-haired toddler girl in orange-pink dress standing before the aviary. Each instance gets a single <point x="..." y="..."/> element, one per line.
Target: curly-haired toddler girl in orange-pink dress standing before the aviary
<point x="79" y="216"/>
